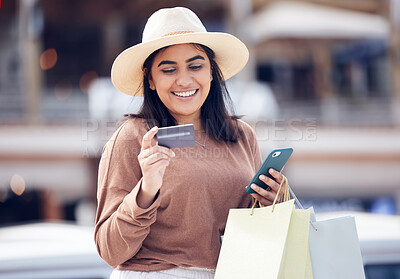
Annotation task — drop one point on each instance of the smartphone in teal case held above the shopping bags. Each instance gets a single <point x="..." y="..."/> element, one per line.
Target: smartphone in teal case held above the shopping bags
<point x="275" y="160"/>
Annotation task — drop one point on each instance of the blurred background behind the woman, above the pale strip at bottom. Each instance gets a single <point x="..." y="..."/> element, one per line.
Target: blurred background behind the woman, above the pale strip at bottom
<point x="323" y="78"/>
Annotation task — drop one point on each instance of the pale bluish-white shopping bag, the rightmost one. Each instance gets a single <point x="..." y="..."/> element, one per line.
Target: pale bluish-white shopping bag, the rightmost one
<point x="335" y="249"/>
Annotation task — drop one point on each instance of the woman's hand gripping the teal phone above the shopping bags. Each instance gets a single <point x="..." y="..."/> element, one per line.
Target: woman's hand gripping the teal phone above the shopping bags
<point x="267" y="197"/>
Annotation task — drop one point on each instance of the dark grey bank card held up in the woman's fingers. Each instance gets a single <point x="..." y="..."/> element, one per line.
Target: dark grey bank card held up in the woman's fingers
<point x="176" y="136"/>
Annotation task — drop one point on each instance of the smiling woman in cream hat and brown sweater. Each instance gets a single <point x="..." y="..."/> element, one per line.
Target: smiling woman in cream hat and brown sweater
<point x="161" y="212"/>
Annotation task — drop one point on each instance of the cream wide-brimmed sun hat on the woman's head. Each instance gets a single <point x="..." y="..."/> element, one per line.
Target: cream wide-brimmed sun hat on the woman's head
<point x="170" y="27"/>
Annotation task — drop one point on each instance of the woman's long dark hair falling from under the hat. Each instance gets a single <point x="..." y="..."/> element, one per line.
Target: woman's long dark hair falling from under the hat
<point x="215" y="112"/>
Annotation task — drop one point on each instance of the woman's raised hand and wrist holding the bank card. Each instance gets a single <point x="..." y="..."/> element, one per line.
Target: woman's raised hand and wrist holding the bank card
<point x="153" y="160"/>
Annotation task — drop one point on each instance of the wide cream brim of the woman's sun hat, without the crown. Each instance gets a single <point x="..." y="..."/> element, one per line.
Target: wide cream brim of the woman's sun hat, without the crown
<point x="231" y="55"/>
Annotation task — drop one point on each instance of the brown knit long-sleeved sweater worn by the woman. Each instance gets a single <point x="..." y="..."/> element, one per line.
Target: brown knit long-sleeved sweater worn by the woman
<point x="183" y="225"/>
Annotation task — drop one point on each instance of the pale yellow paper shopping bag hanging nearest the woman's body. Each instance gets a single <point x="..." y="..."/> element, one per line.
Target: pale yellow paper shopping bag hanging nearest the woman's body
<point x="269" y="242"/>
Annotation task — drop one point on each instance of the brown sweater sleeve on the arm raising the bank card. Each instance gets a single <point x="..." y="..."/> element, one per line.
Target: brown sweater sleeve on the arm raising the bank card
<point x="121" y="225"/>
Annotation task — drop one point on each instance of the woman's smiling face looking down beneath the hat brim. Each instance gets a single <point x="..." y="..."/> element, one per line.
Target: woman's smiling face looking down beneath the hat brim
<point x="181" y="75"/>
